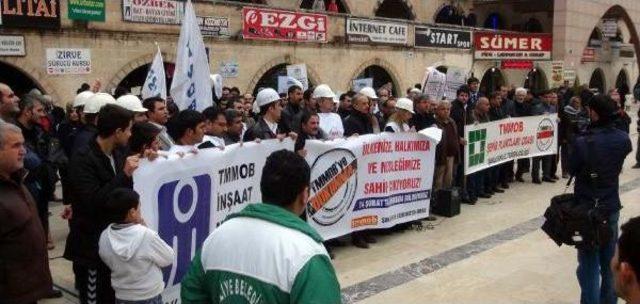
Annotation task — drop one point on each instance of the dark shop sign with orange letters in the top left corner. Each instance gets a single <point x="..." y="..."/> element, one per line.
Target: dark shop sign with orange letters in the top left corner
<point x="31" y="14"/>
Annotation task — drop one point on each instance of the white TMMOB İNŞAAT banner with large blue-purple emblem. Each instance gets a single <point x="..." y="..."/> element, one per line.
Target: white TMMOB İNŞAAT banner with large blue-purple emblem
<point x="184" y="199"/>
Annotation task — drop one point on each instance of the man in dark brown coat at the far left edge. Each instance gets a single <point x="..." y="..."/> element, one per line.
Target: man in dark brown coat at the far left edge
<point x="24" y="264"/>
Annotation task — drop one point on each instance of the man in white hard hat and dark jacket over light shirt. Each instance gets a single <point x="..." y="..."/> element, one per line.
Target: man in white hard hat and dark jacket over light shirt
<point x="270" y="108"/>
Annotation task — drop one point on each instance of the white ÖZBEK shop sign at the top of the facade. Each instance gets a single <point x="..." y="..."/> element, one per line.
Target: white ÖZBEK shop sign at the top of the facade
<point x="156" y="11"/>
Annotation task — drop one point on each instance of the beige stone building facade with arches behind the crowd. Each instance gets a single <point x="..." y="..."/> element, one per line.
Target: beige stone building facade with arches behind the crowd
<point x="119" y="48"/>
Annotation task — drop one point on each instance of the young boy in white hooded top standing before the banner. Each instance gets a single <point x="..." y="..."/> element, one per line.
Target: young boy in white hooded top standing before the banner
<point x="133" y="252"/>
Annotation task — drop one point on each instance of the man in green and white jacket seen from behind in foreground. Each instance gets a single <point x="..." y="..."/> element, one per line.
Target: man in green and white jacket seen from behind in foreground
<point x="266" y="253"/>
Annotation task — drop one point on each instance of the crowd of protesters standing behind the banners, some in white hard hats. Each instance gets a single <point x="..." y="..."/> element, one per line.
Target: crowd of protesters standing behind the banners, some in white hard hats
<point x="93" y="146"/>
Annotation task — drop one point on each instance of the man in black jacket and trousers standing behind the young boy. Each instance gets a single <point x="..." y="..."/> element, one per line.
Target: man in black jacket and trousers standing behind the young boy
<point x="95" y="171"/>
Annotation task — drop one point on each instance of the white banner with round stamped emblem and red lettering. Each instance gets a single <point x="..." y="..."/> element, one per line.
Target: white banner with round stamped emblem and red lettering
<point x="370" y="181"/>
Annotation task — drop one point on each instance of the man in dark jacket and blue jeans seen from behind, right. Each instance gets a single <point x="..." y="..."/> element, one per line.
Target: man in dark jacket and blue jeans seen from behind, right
<point x="596" y="163"/>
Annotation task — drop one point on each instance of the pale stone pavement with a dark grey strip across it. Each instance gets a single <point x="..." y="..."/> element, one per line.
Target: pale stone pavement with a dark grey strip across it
<point x="493" y="252"/>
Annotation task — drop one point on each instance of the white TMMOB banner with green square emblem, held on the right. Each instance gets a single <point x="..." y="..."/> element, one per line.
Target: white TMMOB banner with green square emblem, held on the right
<point x="500" y="141"/>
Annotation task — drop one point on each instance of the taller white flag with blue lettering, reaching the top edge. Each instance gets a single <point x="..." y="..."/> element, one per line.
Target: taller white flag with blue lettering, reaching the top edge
<point x="191" y="86"/>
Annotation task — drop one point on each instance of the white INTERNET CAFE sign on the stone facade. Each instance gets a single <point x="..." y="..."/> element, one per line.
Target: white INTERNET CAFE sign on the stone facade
<point x="372" y="31"/>
